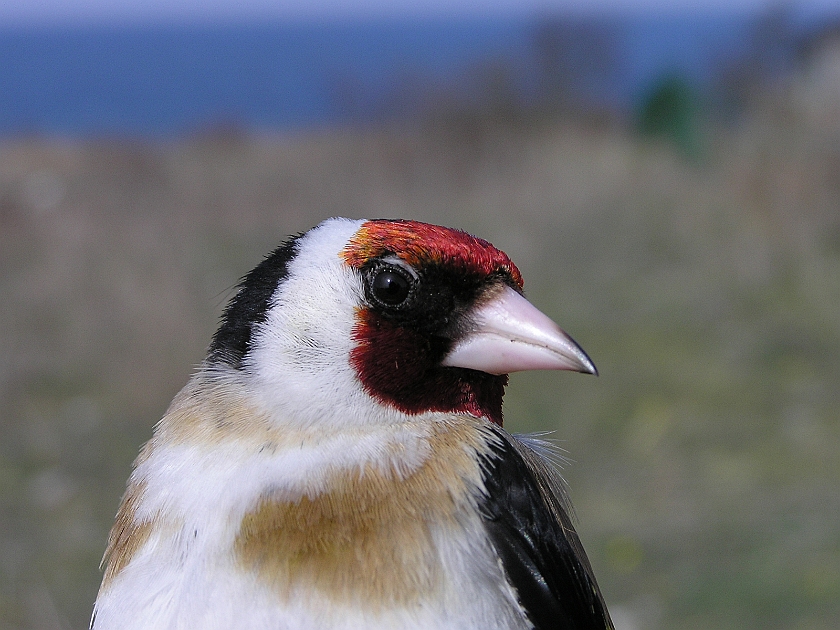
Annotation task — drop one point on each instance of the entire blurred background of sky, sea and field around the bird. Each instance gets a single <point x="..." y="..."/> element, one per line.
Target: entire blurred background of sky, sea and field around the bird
<point x="666" y="176"/>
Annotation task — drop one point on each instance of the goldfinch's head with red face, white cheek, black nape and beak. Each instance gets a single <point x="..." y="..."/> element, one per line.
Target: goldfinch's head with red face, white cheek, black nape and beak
<point x="367" y="321"/>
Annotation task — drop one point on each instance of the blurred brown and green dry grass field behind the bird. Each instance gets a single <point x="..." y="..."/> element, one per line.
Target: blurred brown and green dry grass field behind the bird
<point x="706" y="457"/>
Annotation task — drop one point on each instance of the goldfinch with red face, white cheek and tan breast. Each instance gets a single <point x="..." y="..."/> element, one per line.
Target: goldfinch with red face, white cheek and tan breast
<point x="339" y="458"/>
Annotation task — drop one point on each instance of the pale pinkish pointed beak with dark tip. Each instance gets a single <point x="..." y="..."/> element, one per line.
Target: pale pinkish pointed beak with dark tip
<point x="509" y="334"/>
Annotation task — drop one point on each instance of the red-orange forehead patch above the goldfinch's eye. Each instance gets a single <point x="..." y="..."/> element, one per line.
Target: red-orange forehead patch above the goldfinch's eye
<point x="421" y="243"/>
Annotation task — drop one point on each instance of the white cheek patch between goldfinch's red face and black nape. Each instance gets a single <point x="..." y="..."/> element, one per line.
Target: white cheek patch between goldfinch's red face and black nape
<point x="299" y="360"/>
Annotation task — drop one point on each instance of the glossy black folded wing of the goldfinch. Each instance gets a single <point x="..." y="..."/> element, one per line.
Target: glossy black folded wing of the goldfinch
<point x="527" y="518"/>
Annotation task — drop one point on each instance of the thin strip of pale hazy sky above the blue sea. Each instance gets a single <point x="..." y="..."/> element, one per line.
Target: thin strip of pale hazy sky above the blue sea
<point x="86" y="11"/>
